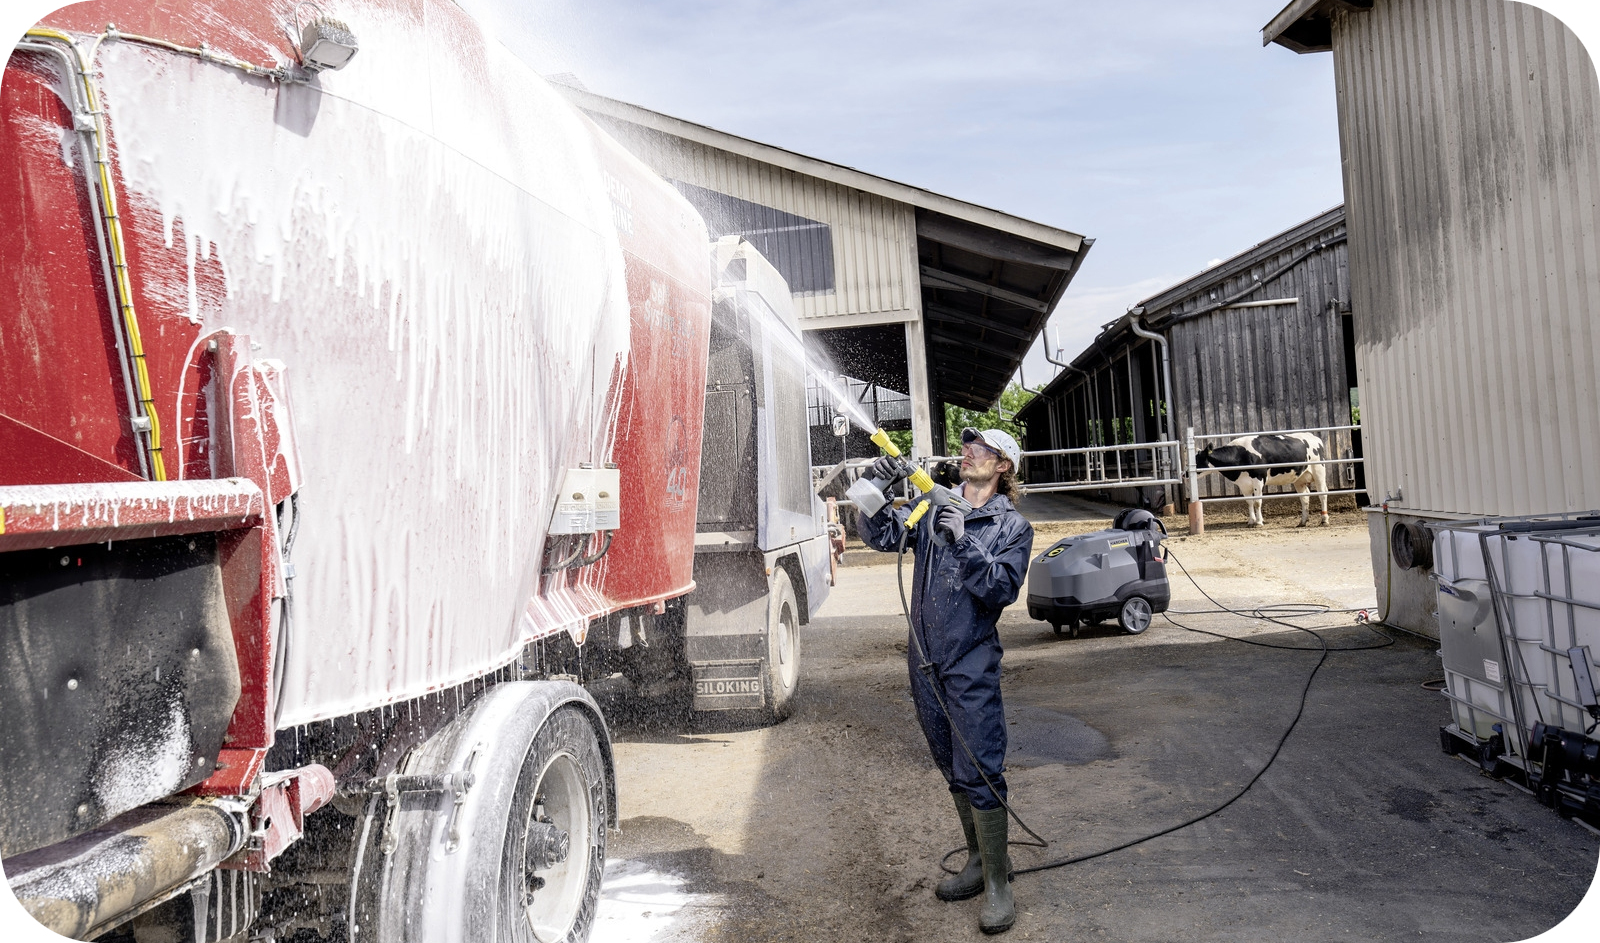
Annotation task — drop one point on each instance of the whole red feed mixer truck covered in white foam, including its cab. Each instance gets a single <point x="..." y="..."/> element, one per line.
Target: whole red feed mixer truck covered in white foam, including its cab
<point x="361" y="403"/>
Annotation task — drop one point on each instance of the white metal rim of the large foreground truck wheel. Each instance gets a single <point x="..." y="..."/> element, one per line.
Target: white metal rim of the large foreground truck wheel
<point x="556" y="891"/>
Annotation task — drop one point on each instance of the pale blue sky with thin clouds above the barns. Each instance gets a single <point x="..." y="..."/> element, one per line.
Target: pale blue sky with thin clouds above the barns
<point x="1161" y="129"/>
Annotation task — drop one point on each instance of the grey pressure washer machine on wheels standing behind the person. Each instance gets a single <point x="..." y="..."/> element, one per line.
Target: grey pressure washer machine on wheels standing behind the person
<point x="1094" y="577"/>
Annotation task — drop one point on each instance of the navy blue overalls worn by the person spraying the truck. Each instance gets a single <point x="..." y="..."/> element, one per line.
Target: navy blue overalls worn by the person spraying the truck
<point x="956" y="601"/>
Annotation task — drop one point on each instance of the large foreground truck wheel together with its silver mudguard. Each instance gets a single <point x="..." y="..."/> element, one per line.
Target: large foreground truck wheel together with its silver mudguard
<point x="519" y="859"/>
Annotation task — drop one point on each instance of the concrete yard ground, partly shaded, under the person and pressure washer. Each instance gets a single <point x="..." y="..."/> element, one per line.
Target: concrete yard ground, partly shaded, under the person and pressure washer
<point x="831" y="825"/>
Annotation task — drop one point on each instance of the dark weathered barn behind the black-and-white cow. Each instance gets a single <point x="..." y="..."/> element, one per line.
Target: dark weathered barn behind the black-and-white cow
<point x="1260" y="342"/>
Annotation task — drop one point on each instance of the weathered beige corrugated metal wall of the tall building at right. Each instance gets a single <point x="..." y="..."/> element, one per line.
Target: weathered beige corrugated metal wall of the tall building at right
<point x="1473" y="174"/>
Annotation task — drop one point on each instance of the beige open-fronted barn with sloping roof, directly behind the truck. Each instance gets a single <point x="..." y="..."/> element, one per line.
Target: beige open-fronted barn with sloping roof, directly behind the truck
<point x="922" y="299"/>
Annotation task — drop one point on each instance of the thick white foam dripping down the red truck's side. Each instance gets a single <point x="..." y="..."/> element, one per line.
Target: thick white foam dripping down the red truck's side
<point x="431" y="252"/>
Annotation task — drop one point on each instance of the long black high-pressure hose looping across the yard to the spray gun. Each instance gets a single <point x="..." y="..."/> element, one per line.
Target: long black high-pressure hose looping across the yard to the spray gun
<point x="1324" y="649"/>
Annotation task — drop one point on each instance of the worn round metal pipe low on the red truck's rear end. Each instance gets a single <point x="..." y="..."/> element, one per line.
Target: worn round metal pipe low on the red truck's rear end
<point x="87" y="886"/>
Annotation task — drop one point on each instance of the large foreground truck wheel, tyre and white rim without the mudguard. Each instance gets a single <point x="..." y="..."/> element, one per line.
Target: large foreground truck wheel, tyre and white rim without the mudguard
<point x="554" y="853"/>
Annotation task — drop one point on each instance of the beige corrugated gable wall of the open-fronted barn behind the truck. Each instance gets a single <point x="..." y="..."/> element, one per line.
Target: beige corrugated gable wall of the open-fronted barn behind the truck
<point x="874" y="239"/>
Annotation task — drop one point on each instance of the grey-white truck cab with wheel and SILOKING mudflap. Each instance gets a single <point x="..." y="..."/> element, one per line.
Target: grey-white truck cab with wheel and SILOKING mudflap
<point x="761" y="534"/>
